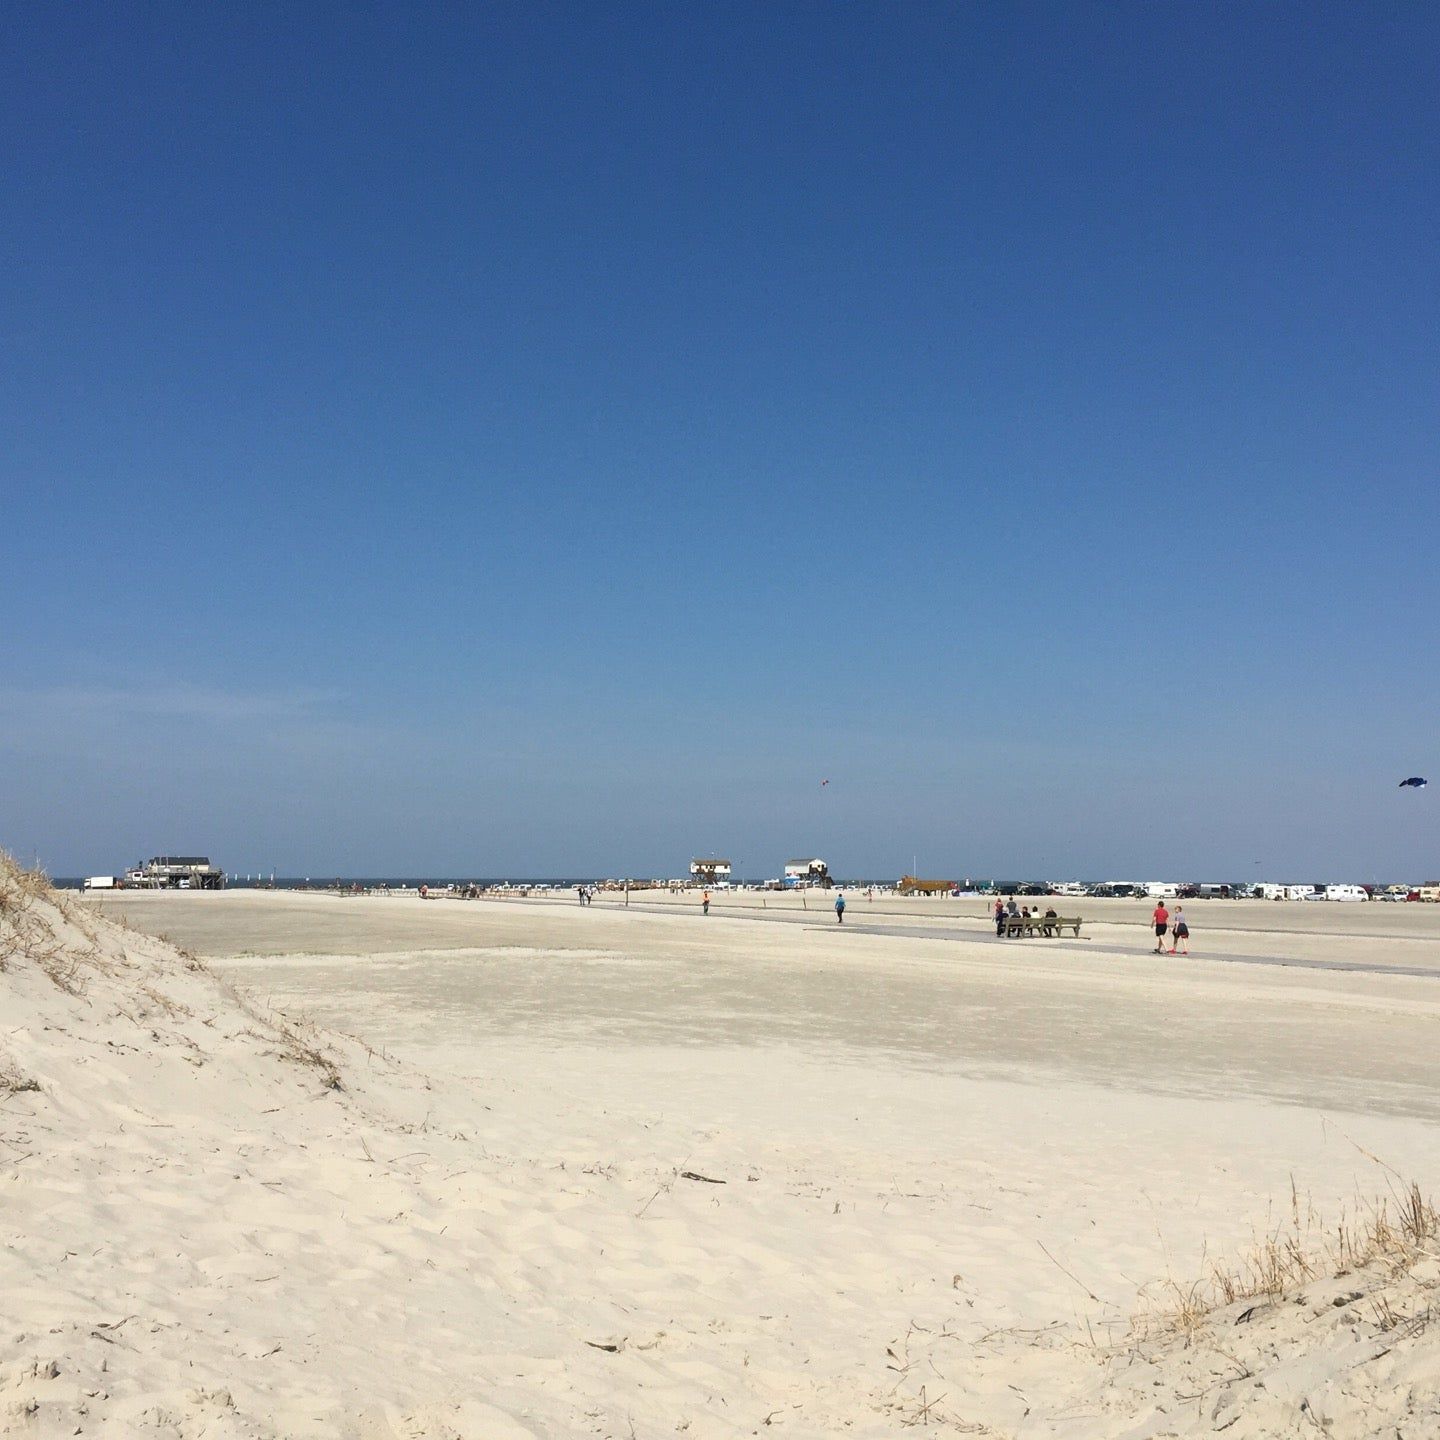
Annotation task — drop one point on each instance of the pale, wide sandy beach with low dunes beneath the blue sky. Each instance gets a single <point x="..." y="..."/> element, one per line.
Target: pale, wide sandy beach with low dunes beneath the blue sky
<point x="954" y="1170"/>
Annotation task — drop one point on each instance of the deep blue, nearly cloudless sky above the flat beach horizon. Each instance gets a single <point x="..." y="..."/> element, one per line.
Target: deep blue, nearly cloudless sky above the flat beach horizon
<point x="549" y="438"/>
